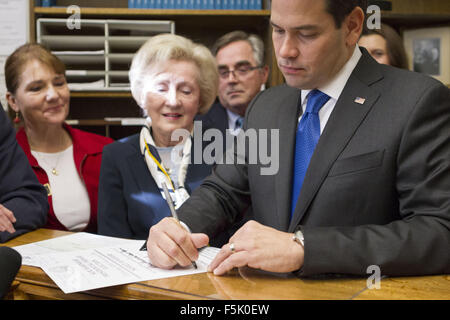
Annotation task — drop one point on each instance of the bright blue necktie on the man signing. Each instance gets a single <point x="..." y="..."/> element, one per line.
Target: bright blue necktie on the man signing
<point x="308" y="133"/>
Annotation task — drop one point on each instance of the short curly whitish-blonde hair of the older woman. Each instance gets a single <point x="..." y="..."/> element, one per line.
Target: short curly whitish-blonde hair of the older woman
<point x="156" y="51"/>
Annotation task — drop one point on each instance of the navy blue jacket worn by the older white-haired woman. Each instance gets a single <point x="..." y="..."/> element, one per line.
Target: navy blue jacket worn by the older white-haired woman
<point x="129" y="199"/>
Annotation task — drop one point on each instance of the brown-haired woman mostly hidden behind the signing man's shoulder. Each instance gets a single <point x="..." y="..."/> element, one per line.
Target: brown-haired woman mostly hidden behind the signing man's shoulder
<point x="386" y="46"/>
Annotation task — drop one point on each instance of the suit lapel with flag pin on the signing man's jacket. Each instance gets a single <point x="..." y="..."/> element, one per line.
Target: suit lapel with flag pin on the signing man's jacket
<point x="341" y="126"/>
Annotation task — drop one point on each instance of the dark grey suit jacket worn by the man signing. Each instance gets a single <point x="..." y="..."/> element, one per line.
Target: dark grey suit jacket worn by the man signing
<point x="377" y="188"/>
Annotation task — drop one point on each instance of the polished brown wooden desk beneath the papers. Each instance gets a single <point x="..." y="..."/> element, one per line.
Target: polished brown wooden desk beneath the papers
<point x="245" y="283"/>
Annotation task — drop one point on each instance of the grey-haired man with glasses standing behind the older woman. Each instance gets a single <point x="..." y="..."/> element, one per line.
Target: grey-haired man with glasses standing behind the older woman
<point x="242" y="73"/>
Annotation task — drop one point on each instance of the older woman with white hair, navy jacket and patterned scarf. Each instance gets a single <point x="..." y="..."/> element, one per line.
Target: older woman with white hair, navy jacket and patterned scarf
<point x="172" y="79"/>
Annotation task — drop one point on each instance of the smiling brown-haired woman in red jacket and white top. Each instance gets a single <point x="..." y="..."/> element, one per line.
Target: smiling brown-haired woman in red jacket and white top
<point x="65" y="160"/>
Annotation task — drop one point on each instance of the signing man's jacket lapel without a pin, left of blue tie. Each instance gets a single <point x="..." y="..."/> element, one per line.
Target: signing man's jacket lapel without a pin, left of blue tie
<point x="287" y="124"/>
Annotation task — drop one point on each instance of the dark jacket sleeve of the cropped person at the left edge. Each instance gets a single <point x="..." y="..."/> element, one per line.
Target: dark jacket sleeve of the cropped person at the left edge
<point x="20" y="191"/>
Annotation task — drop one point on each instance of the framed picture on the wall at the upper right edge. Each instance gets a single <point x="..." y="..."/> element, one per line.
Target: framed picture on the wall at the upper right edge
<point x="429" y="51"/>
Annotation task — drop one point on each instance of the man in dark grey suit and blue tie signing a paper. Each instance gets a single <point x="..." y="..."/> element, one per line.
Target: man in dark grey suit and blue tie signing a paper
<point x="376" y="188"/>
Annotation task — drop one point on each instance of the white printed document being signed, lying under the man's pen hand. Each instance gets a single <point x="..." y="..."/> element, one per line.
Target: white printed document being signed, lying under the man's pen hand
<point x="90" y="269"/>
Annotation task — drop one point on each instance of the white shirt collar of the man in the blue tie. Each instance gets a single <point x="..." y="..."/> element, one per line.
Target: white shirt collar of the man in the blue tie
<point x="335" y="87"/>
